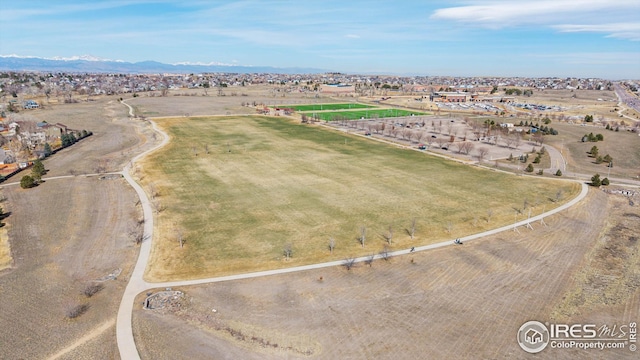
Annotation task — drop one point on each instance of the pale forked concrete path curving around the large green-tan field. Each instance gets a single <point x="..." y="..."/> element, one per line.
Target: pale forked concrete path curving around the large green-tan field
<point x="137" y="285"/>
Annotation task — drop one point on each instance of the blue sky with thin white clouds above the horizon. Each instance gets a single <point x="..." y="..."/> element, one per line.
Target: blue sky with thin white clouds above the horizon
<point x="581" y="38"/>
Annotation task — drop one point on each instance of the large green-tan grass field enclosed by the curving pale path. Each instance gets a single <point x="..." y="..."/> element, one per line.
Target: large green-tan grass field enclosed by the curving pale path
<point x="269" y="182"/>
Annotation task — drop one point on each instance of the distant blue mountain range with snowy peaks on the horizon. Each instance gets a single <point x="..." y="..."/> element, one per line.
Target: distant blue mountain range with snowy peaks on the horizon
<point x="94" y="65"/>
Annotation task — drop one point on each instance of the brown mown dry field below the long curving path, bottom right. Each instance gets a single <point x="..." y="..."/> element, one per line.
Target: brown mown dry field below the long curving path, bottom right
<point x="464" y="302"/>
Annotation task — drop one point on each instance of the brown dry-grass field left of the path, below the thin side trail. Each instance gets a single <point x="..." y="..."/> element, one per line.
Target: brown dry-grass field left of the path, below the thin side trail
<point x="66" y="234"/>
